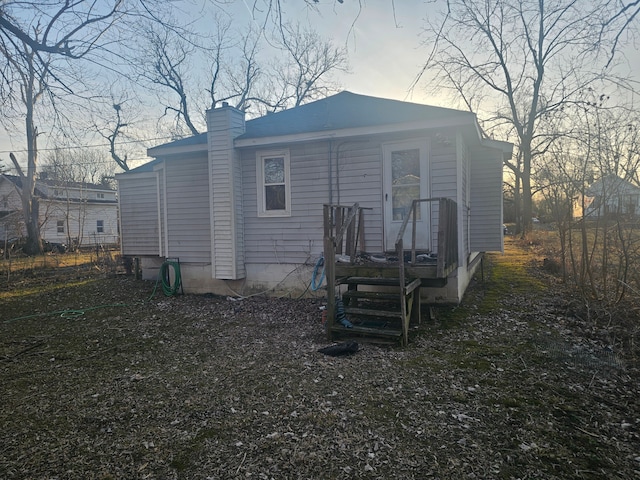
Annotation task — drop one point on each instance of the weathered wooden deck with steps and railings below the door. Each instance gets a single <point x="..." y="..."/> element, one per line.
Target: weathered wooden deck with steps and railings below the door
<point x="382" y="295"/>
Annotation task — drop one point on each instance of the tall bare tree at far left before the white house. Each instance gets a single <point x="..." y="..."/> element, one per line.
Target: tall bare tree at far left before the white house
<point x="33" y="35"/>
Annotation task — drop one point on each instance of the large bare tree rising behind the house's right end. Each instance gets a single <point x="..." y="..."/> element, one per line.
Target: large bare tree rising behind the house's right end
<point x="522" y="60"/>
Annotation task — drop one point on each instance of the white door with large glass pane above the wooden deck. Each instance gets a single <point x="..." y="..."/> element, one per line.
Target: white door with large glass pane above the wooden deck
<point x="406" y="167"/>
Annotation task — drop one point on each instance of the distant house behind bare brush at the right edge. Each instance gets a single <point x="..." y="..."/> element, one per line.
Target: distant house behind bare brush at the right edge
<point x="612" y="195"/>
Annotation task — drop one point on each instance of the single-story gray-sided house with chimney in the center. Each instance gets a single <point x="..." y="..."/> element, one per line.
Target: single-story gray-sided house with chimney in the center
<point x="241" y="206"/>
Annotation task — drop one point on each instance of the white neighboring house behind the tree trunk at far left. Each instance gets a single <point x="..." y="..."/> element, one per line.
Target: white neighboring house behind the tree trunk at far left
<point x="71" y="213"/>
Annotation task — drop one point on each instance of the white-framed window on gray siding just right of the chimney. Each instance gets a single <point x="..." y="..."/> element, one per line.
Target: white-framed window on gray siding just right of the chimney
<point x="274" y="186"/>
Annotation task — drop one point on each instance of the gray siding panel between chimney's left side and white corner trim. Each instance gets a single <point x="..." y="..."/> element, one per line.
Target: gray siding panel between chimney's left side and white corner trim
<point x="187" y="210"/>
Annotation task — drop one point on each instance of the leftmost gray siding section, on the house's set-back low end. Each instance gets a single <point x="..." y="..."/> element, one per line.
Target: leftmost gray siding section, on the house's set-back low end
<point x="138" y="197"/>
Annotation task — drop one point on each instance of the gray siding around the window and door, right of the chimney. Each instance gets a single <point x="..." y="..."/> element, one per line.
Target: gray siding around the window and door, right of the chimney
<point x="298" y="238"/>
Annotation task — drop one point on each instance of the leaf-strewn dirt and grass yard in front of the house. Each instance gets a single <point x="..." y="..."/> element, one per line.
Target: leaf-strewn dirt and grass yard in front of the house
<point x="100" y="379"/>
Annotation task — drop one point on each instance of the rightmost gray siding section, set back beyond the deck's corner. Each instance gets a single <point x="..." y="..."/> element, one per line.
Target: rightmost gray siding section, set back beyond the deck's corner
<point x="486" y="200"/>
